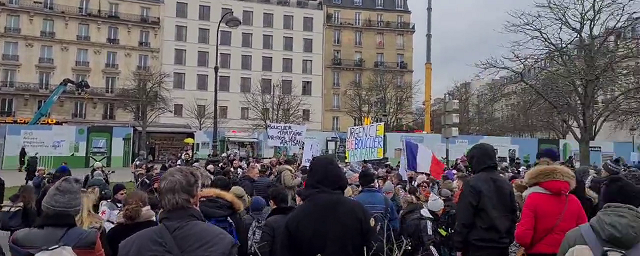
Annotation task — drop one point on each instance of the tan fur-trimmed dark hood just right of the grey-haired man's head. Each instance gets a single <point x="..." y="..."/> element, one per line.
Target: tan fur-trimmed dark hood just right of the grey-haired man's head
<point x="215" y="203"/>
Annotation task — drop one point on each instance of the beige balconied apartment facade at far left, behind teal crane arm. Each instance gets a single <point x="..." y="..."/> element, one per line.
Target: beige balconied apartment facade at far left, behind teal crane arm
<point x="99" y="41"/>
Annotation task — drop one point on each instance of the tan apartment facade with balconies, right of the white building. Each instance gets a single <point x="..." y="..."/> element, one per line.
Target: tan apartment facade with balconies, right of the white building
<point x="362" y="36"/>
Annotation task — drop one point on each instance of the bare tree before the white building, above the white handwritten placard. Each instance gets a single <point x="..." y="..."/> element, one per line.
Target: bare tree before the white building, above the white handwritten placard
<point x="275" y="102"/>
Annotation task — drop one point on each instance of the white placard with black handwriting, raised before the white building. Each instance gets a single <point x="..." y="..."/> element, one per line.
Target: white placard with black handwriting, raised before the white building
<point x="280" y="135"/>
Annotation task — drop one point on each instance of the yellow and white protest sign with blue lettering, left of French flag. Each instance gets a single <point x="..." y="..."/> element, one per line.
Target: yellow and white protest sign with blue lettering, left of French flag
<point x="365" y="142"/>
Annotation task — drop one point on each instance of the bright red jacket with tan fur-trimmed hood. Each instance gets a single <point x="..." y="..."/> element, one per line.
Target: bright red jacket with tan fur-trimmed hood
<point x="547" y="202"/>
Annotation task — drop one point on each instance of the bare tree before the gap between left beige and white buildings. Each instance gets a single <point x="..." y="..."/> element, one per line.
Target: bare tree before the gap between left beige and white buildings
<point x="146" y="96"/>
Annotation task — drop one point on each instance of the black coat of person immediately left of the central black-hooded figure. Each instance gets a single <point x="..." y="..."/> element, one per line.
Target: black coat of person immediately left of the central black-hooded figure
<point x="272" y="231"/>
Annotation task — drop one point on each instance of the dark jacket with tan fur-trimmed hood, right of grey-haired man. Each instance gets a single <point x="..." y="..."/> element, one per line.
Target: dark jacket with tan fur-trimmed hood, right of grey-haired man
<point x="215" y="203"/>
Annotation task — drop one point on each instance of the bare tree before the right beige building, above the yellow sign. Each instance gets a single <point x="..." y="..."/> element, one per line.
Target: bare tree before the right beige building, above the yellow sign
<point x="384" y="93"/>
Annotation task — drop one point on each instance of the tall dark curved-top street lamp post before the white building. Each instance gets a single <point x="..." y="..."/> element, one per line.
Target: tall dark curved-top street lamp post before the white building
<point x="230" y="21"/>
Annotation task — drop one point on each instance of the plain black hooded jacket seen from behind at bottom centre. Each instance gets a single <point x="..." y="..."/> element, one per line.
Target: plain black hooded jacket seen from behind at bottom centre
<point x="340" y="226"/>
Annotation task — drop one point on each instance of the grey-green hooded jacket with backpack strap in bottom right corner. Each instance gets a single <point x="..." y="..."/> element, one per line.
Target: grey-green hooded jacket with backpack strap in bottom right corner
<point x="616" y="226"/>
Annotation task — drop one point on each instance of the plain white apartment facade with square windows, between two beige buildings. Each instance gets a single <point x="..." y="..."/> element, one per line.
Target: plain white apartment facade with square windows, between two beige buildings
<point x="278" y="42"/>
